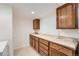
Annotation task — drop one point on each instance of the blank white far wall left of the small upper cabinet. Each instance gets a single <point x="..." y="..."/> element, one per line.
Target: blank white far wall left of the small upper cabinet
<point x="22" y="27"/>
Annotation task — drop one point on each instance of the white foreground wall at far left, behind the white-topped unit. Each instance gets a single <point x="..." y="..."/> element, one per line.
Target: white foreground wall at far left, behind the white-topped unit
<point x="6" y="25"/>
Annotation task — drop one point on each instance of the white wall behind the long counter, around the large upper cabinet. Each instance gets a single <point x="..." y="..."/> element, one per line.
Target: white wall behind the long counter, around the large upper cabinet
<point x="48" y="26"/>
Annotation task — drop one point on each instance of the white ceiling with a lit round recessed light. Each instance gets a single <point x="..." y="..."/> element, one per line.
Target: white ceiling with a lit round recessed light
<point x="40" y="9"/>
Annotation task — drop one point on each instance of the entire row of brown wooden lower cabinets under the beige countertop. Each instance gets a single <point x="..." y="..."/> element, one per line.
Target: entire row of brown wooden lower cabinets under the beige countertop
<point x="48" y="48"/>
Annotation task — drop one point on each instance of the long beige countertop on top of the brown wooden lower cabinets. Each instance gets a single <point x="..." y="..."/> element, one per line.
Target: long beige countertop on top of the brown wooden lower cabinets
<point x="66" y="41"/>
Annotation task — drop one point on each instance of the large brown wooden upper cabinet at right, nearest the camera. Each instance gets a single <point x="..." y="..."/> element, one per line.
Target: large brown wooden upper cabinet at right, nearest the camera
<point x="67" y="16"/>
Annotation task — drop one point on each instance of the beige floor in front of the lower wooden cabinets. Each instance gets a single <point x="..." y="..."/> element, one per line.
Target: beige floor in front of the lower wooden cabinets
<point x="29" y="51"/>
